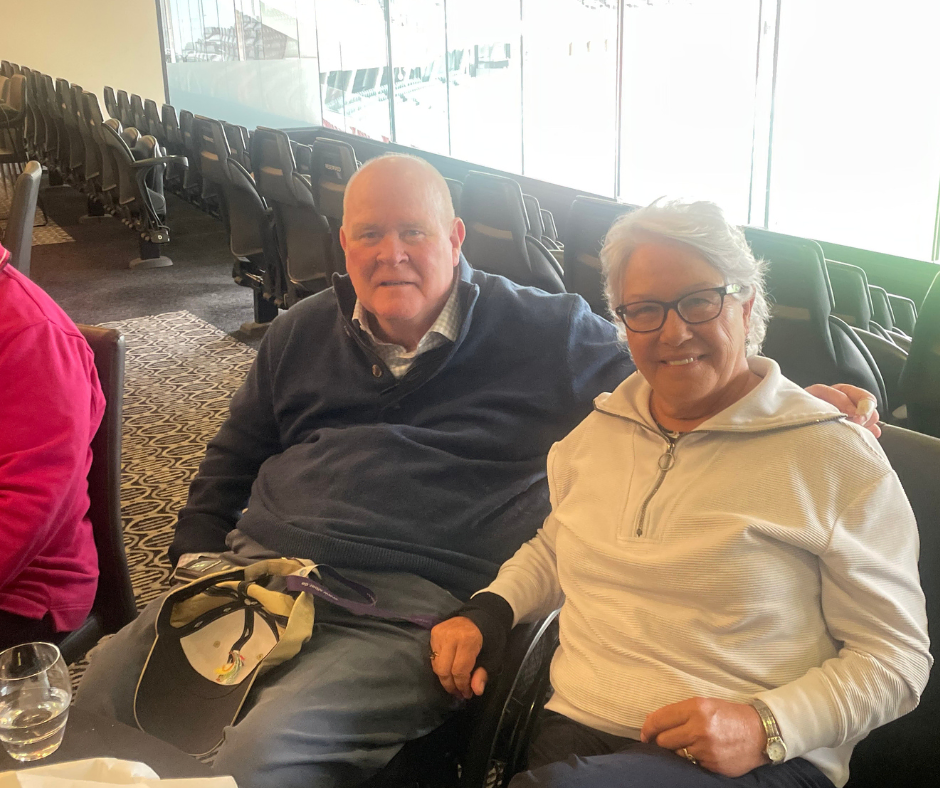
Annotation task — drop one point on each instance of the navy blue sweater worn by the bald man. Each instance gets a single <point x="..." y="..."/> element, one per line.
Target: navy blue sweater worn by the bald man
<point x="441" y="473"/>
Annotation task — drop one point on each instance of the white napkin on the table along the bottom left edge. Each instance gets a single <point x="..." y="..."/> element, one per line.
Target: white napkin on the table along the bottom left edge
<point x="98" y="772"/>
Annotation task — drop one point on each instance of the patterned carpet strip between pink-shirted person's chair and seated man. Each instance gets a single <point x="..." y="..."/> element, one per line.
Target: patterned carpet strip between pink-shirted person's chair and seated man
<point x="180" y="374"/>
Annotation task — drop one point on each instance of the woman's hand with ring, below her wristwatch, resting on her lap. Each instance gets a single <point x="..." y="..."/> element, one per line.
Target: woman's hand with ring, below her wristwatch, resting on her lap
<point x="724" y="737"/>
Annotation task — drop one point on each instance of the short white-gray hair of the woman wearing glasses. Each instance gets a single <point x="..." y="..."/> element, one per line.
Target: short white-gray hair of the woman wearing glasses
<point x="703" y="227"/>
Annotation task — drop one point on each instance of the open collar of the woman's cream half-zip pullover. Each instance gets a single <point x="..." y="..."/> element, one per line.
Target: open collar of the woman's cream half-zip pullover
<point x="774" y="403"/>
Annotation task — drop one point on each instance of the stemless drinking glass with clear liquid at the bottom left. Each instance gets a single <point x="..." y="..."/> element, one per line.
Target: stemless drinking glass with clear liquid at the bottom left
<point x="35" y="692"/>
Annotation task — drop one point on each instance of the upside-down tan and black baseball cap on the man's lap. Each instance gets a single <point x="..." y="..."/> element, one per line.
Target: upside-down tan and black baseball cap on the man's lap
<point x="213" y="638"/>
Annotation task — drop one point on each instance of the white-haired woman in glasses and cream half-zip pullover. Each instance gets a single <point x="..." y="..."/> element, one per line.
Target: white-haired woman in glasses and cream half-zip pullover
<point x="735" y="562"/>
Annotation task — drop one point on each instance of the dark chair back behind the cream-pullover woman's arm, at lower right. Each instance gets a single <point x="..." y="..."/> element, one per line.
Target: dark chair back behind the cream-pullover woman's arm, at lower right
<point x="905" y="752"/>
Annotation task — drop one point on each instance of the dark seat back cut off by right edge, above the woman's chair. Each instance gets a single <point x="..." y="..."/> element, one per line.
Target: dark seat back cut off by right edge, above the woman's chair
<point x="920" y="380"/>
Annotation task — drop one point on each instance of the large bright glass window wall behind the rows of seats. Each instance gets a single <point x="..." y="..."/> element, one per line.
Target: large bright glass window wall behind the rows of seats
<point x="813" y="117"/>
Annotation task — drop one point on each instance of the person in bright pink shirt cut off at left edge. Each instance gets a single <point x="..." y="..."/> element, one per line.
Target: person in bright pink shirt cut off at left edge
<point x="50" y="407"/>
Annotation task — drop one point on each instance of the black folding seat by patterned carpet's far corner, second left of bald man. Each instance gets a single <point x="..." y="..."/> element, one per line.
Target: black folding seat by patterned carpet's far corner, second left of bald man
<point x="247" y="219"/>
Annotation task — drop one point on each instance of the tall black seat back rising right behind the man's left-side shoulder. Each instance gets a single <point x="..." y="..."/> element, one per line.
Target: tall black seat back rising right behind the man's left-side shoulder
<point x="304" y="239"/>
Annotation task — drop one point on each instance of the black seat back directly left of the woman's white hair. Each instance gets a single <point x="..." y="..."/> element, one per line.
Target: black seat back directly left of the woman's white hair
<point x="589" y="219"/>
